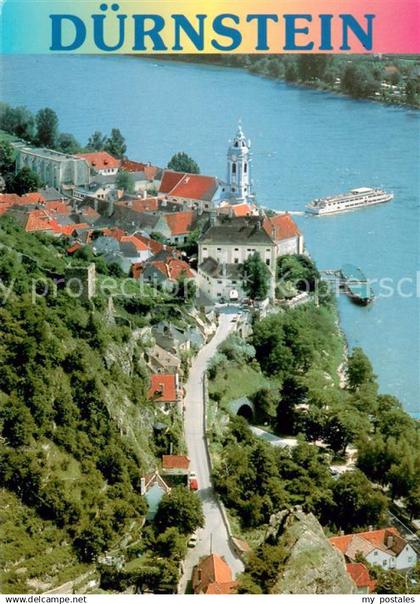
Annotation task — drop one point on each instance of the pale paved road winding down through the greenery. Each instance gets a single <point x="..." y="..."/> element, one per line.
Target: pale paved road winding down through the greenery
<point x="214" y="533"/>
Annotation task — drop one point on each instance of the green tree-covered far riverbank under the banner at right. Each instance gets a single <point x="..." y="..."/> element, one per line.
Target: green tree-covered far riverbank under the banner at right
<point x="389" y="81"/>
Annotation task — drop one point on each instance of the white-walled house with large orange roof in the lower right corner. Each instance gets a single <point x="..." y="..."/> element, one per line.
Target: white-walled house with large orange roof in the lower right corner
<point x="383" y="547"/>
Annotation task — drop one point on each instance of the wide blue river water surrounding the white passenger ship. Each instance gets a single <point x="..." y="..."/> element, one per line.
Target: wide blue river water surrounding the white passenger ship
<point x="306" y="144"/>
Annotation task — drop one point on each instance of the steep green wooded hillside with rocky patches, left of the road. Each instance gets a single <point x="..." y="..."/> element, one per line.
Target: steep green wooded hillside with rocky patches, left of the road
<point x="76" y="426"/>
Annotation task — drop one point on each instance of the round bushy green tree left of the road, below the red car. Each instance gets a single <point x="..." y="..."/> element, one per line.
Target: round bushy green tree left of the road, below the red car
<point x="182" y="509"/>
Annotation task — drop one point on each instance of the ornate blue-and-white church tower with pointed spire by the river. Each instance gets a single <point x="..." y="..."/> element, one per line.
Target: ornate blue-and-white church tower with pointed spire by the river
<point x="238" y="165"/>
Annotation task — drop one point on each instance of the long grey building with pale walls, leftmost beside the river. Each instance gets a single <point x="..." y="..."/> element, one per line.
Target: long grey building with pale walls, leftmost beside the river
<point x="55" y="169"/>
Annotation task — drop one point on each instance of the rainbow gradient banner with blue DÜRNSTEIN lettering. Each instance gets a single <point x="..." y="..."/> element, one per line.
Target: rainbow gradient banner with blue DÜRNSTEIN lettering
<point x="234" y="26"/>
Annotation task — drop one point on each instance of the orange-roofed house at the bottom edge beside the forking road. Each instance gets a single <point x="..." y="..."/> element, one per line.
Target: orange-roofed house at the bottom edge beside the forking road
<point x="212" y="575"/>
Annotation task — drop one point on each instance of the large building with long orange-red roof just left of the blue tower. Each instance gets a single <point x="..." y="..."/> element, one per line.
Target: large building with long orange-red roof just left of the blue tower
<point x="196" y="190"/>
